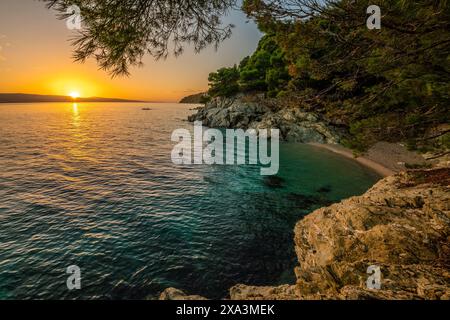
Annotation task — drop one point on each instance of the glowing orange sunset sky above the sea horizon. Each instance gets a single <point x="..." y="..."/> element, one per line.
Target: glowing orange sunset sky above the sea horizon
<point x="35" y="57"/>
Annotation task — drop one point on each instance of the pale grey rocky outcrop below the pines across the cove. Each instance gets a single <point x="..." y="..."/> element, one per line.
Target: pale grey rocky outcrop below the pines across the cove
<point x="246" y="112"/>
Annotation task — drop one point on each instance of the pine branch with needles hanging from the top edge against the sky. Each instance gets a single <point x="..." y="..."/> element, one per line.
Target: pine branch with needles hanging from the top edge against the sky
<point x="118" y="33"/>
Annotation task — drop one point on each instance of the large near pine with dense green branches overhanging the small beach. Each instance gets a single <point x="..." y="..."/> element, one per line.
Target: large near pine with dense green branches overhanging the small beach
<point x="391" y="84"/>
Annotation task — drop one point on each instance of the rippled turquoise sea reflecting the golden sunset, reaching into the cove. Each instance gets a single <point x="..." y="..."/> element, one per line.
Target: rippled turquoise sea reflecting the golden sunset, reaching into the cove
<point x="93" y="185"/>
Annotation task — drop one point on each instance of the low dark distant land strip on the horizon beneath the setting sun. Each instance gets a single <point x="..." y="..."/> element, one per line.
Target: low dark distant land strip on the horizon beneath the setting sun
<point x="29" y="98"/>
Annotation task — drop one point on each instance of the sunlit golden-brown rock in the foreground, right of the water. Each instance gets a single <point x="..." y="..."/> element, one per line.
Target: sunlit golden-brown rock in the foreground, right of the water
<point x="401" y="225"/>
